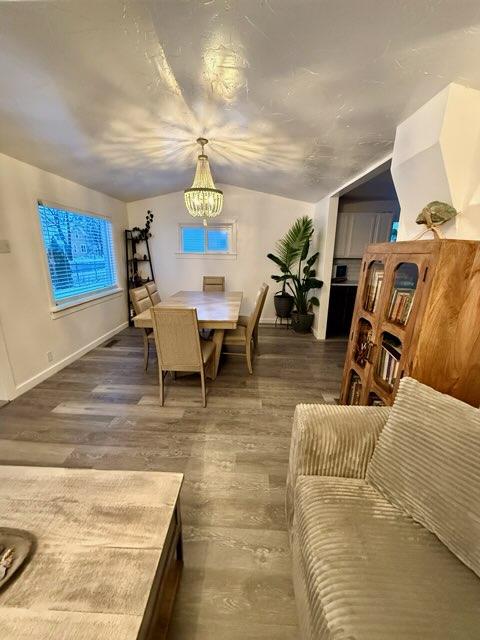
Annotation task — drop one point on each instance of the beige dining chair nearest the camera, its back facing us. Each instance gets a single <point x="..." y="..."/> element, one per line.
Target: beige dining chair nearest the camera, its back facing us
<point x="179" y="346"/>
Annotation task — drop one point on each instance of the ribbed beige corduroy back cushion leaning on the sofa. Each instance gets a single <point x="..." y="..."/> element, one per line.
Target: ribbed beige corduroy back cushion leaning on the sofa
<point x="427" y="461"/>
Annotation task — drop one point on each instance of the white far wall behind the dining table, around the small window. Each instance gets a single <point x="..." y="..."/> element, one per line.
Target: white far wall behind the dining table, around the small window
<point x="261" y="220"/>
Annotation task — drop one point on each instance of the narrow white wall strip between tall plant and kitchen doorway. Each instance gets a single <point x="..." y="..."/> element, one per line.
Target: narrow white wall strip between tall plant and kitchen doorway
<point x="325" y="220"/>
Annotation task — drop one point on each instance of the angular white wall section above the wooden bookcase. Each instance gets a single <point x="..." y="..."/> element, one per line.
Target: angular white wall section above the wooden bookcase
<point x="437" y="157"/>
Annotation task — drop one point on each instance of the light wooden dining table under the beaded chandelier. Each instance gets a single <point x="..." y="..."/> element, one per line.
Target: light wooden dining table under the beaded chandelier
<point x="217" y="310"/>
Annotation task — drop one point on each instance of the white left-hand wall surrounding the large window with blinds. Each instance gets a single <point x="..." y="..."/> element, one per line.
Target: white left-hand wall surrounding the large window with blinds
<point x="28" y="327"/>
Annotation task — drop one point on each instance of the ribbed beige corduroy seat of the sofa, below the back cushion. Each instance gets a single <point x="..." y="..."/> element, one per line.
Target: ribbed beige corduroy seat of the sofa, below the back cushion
<point x="364" y="570"/>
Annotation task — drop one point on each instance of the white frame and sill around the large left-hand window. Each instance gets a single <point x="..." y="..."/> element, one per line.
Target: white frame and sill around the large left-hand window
<point x="66" y="306"/>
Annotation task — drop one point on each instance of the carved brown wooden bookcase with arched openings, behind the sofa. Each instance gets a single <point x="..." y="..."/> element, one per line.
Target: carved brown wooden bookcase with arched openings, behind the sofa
<point x="417" y="313"/>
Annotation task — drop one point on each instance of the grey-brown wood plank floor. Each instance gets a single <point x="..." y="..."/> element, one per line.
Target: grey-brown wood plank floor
<point x="102" y="412"/>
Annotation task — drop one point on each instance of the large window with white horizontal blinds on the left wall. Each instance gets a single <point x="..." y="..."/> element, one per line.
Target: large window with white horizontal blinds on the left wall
<point x="79" y="251"/>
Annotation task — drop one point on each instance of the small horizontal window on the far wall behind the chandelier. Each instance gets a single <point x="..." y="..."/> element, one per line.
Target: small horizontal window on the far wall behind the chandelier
<point x="199" y="239"/>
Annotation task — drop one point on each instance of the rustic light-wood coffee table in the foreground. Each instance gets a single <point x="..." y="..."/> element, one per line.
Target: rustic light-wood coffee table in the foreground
<point x="108" y="556"/>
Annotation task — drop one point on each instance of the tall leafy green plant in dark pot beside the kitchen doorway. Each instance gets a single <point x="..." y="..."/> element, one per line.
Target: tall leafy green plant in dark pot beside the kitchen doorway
<point x="298" y="273"/>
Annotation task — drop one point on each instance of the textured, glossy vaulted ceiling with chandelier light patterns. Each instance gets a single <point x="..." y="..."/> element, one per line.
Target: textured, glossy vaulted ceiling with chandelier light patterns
<point x="297" y="96"/>
